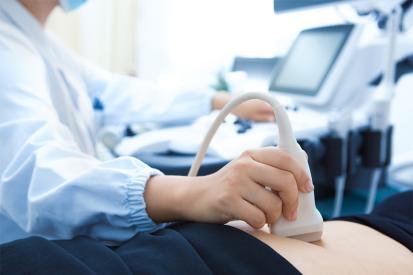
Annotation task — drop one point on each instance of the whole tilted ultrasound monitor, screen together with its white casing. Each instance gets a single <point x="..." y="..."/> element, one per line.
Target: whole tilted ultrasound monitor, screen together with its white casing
<point x="317" y="65"/>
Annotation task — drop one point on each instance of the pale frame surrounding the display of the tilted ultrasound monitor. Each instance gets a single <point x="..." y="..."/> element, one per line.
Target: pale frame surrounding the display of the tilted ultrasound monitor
<point x="323" y="93"/>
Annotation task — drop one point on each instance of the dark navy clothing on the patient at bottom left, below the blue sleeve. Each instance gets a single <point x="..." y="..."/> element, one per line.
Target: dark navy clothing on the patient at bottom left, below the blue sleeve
<point x="189" y="248"/>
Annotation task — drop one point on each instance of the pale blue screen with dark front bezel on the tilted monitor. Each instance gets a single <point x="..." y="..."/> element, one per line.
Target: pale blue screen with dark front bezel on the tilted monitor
<point x="310" y="60"/>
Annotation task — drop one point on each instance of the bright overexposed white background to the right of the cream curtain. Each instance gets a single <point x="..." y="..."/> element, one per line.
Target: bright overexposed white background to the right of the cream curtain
<point x="195" y="38"/>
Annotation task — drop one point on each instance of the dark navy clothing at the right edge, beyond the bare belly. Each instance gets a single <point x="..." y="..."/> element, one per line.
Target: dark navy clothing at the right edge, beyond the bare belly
<point x="393" y="217"/>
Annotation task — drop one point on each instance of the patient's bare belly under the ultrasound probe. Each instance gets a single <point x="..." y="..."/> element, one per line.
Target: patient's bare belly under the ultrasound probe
<point x="345" y="248"/>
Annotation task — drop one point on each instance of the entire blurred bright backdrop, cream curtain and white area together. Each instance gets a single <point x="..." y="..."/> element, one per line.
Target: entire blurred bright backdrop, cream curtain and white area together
<point x="188" y="38"/>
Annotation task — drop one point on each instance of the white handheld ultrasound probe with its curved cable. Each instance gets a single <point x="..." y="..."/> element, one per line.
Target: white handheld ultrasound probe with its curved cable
<point x="309" y="224"/>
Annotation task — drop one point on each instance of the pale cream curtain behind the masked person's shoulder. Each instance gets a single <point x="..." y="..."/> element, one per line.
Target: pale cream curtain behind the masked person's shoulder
<point x="102" y="31"/>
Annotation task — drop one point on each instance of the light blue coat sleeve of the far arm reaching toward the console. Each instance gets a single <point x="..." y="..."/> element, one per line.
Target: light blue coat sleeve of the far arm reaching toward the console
<point x="131" y="100"/>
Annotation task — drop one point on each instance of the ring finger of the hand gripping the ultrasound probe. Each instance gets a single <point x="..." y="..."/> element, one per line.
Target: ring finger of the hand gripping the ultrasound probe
<point x="268" y="202"/>
